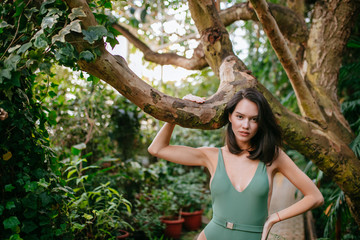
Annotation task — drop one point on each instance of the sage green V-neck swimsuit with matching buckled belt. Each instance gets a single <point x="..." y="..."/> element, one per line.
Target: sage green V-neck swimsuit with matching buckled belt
<point x="238" y="215"/>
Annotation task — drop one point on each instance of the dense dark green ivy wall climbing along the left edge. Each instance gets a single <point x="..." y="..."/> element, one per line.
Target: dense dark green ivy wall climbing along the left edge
<point x="32" y="196"/>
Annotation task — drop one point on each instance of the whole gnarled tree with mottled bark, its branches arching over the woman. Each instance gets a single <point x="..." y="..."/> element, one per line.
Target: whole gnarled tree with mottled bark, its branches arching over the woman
<point x="321" y="133"/>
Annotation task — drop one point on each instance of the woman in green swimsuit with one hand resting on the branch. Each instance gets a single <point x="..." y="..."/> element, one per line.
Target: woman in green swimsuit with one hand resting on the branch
<point x="242" y="171"/>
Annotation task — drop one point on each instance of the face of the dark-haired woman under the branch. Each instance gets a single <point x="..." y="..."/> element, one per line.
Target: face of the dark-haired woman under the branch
<point x="244" y="122"/>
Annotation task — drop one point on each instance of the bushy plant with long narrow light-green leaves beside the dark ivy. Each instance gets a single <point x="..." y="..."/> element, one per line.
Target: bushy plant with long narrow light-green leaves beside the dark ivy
<point x="95" y="211"/>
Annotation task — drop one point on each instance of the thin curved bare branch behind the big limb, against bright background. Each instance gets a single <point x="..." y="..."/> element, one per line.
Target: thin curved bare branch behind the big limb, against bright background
<point x="196" y="62"/>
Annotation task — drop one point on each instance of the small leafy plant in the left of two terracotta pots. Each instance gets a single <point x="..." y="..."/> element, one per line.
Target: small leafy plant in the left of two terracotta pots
<point x="167" y="204"/>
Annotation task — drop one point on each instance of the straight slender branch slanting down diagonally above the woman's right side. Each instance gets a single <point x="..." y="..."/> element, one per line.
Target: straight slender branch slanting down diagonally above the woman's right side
<point x="306" y="101"/>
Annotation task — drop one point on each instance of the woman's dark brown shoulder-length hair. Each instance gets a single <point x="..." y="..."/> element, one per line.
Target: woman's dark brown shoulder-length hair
<point x="267" y="141"/>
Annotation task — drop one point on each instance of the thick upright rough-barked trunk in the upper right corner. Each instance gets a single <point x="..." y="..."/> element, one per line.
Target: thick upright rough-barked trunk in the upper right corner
<point x="329" y="33"/>
